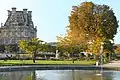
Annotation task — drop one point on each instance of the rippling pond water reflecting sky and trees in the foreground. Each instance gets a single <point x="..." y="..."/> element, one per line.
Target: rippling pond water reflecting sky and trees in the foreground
<point x="60" y="75"/>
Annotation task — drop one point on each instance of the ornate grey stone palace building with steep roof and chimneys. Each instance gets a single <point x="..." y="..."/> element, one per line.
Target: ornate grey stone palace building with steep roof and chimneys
<point x="18" y="26"/>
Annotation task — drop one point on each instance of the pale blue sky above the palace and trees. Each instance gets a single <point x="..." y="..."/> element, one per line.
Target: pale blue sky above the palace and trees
<point x="51" y="16"/>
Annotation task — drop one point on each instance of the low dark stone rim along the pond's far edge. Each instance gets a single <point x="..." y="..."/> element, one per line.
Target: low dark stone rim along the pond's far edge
<point x="50" y="67"/>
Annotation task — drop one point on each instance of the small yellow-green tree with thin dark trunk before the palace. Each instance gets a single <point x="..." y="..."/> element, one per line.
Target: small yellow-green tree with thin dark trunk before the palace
<point x="32" y="46"/>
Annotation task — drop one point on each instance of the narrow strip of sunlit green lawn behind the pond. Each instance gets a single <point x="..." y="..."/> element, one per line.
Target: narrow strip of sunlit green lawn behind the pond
<point x="30" y="62"/>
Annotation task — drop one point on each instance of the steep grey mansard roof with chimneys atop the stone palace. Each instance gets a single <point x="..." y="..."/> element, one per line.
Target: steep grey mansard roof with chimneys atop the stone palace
<point x="19" y="17"/>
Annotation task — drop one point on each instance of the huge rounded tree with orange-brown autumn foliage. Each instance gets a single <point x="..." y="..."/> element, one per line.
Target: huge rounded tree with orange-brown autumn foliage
<point x="89" y="22"/>
